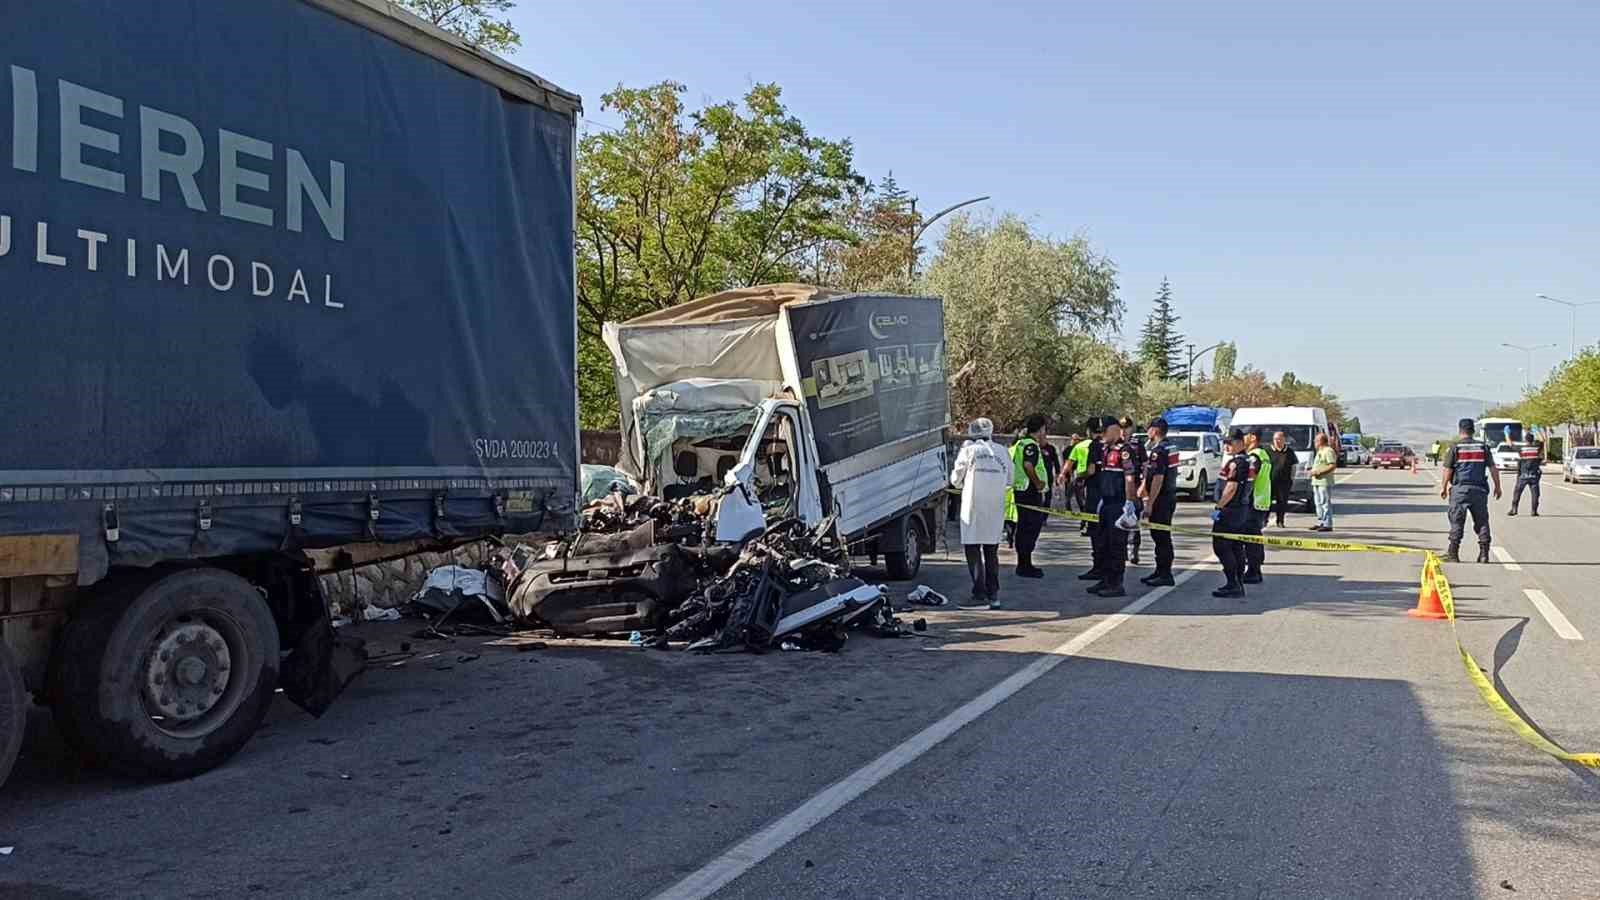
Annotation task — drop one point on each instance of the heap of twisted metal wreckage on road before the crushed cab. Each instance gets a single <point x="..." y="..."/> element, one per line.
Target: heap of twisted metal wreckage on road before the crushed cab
<point x="650" y="566"/>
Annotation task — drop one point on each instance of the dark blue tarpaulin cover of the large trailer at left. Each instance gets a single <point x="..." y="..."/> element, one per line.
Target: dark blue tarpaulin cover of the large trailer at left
<point x="257" y="252"/>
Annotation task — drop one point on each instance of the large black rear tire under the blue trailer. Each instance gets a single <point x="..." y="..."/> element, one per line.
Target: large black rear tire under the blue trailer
<point x="174" y="681"/>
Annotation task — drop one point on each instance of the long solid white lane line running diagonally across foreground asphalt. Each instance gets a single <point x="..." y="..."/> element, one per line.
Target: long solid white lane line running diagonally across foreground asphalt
<point x="750" y="853"/>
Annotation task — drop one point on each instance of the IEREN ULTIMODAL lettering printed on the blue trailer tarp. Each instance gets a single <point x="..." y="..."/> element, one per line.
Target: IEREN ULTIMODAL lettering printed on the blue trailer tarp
<point x="170" y="156"/>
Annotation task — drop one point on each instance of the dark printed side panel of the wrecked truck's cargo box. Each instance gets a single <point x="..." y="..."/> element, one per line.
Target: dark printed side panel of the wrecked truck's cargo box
<point x="871" y="371"/>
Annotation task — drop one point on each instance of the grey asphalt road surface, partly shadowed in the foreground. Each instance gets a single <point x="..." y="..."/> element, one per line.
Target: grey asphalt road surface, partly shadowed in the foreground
<point x="1310" y="741"/>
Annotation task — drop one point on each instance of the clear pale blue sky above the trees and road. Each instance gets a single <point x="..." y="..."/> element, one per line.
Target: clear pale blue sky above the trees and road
<point x="1366" y="193"/>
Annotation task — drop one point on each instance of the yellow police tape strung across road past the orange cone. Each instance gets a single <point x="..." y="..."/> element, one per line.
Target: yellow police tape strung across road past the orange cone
<point x="1433" y="571"/>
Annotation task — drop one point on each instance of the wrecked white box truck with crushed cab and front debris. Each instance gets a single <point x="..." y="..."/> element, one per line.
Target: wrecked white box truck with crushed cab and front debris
<point x="775" y="433"/>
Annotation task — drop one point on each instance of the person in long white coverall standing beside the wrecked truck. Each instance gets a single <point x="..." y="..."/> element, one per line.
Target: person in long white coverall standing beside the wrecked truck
<point x="983" y="475"/>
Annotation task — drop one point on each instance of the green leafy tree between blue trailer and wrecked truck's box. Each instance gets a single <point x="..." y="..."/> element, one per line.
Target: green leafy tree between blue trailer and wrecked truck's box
<point x="679" y="204"/>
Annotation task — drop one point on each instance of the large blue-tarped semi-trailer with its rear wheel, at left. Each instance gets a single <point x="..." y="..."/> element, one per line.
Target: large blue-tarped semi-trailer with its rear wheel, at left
<point x="254" y="323"/>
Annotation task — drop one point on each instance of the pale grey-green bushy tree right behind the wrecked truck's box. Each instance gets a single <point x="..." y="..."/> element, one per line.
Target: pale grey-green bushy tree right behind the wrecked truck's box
<point x="1023" y="313"/>
